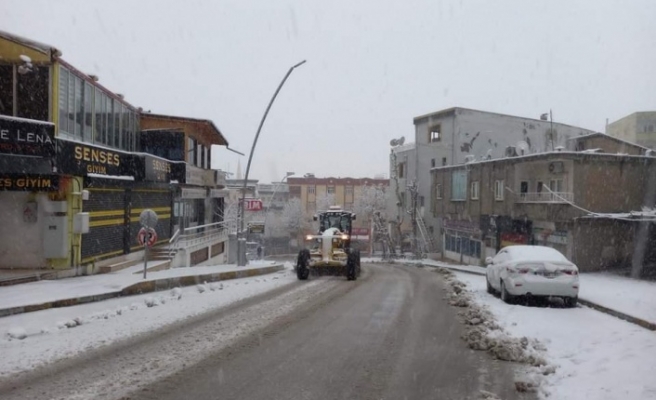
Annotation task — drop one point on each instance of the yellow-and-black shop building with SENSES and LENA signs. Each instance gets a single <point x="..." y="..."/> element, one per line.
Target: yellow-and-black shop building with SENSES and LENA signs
<point x="76" y="177"/>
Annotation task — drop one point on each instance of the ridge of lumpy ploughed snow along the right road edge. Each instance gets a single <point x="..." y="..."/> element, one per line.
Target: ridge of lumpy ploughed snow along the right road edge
<point x="482" y="332"/>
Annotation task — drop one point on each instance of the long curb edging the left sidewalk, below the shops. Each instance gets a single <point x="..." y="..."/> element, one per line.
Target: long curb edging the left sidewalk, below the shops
<point x="144" y="287"/>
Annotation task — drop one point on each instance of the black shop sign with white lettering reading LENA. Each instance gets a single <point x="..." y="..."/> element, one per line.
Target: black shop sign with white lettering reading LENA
<point x="26" y="137"/>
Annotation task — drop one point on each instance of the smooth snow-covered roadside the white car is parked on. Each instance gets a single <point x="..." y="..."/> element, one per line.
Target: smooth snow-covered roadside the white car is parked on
<point x="596" y="356"/>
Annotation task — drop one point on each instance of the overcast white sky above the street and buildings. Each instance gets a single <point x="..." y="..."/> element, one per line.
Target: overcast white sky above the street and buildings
<point x="372" y="66"/>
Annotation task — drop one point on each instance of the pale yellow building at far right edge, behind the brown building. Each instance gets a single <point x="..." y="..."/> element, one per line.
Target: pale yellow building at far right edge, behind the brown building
<point x="639" y="128"/>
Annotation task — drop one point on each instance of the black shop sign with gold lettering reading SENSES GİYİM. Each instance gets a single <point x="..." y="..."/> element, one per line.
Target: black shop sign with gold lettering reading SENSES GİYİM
<point x="83" y="159"/>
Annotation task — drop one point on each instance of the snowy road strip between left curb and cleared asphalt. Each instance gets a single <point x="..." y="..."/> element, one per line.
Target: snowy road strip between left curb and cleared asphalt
<point x="61" y="333"/>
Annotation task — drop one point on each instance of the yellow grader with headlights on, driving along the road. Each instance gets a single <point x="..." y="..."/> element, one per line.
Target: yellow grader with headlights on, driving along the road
<point x="329" y="252"/>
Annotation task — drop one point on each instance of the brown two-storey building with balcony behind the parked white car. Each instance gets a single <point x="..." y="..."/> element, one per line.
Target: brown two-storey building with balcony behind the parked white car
<point x="540" y="199"/>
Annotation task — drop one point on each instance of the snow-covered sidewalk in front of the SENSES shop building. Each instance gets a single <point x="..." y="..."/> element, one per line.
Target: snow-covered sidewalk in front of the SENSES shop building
<point x="45" y="294"/>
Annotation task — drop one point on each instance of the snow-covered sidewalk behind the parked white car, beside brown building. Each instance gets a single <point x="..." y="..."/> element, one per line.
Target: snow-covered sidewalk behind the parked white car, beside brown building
<point x="629" y="299"/>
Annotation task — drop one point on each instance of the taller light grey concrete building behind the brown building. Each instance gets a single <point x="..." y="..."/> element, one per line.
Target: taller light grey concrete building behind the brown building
<point x="458" y="135"/>
